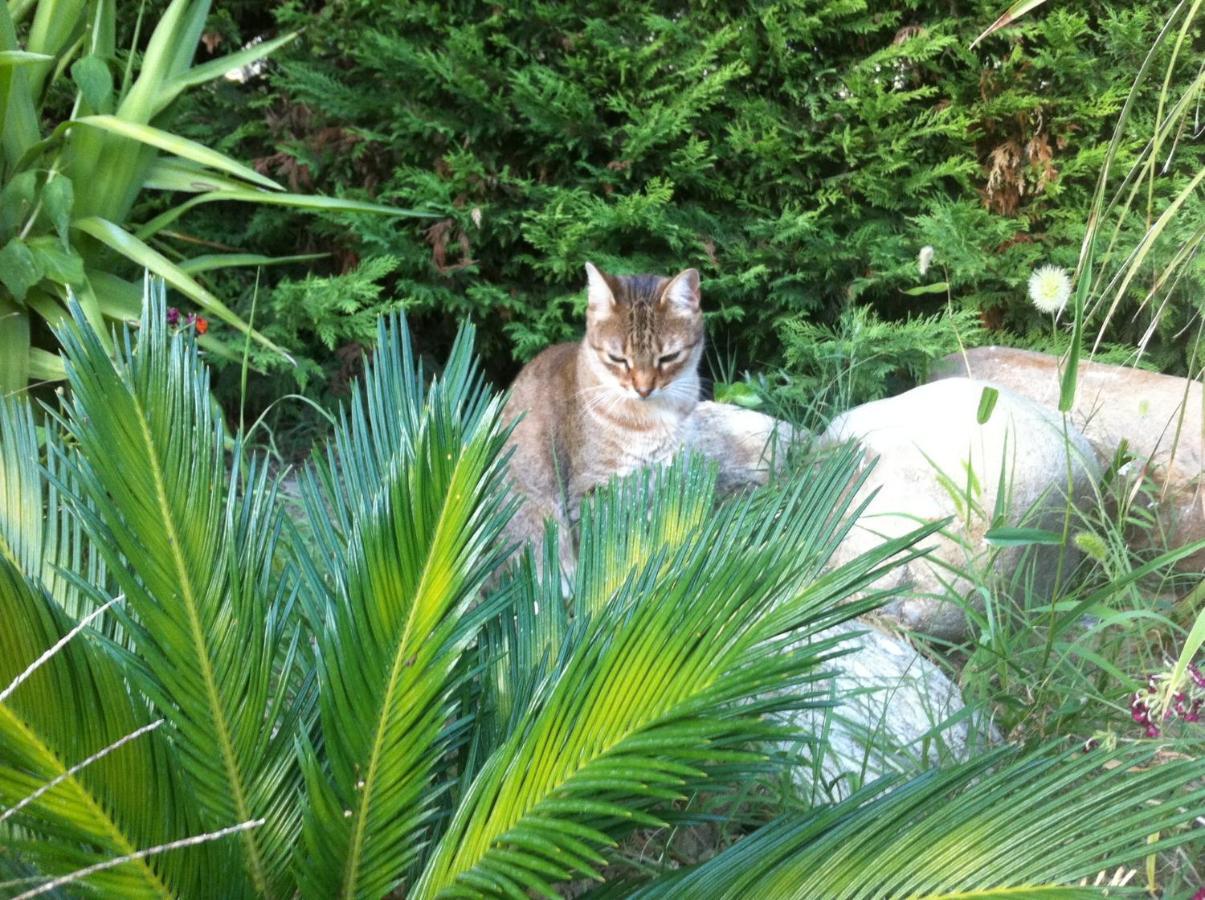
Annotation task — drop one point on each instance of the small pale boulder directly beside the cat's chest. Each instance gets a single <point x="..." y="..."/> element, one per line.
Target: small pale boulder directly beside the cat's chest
<point x="744" y="443"/>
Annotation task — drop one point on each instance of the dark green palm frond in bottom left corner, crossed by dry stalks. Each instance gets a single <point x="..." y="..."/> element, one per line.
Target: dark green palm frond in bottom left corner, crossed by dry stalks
<point x="50" y="725"/>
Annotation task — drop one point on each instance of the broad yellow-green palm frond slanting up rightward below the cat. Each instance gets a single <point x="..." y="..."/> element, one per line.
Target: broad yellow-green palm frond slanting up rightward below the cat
<point x="672" y="677"/>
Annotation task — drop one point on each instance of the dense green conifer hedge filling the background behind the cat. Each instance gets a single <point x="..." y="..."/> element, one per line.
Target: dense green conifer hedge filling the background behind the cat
<point x="800" y="154"/>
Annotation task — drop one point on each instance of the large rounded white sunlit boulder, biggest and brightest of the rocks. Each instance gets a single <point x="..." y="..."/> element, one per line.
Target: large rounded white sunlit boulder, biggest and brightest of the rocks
<point x="933" y="460"/>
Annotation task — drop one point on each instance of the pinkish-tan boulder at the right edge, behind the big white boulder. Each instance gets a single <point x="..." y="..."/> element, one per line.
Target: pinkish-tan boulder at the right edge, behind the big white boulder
<point x="1159" y="416"/>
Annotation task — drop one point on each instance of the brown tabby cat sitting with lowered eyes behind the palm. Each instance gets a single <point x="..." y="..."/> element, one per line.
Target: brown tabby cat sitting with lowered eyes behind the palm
<point x="609" y="405"/>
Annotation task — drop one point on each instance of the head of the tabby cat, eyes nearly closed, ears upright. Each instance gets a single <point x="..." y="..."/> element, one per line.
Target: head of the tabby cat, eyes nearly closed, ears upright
<point x="645" y="332"/>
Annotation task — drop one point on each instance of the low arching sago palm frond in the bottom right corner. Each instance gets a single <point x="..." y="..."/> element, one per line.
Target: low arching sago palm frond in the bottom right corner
<point x="1002" y="826"/>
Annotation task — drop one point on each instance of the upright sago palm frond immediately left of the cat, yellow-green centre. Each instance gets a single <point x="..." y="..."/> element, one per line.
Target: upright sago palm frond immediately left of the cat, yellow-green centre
<point x="414" y="484"/>
